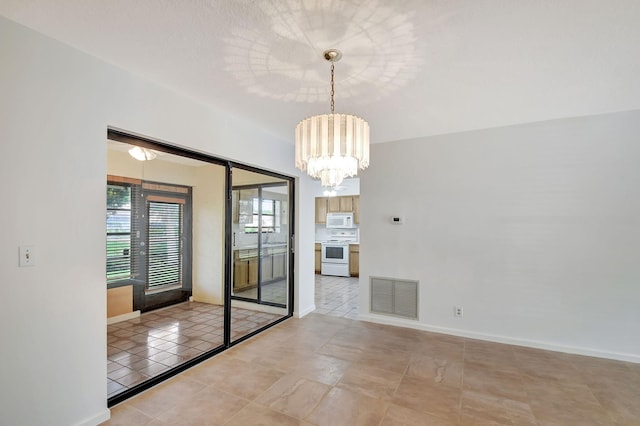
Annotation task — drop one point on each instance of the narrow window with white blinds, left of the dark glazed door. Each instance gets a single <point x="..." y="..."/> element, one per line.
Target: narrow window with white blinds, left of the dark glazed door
<point x="118" y="231"/>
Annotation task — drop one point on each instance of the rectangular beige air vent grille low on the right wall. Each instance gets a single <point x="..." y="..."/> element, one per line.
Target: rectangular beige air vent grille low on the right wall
<point x="394" y="297"/>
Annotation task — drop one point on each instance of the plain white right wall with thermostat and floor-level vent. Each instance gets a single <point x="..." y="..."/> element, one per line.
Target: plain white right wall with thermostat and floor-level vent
<point x="533" y="229"/>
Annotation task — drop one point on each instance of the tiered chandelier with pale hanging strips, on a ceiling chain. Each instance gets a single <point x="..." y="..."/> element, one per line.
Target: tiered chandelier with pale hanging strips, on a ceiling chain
<point x="332" y="146"/>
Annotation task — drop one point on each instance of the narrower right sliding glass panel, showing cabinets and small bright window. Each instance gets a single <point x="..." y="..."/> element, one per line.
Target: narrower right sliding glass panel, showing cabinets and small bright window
<point x="261" y="238"/>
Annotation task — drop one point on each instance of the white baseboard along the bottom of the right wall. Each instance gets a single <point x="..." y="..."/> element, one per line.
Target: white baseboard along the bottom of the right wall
<point x="501" y="339"/>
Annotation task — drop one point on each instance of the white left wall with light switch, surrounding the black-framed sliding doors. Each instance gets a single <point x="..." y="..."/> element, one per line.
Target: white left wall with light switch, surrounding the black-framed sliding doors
<point x="55" y="106"/>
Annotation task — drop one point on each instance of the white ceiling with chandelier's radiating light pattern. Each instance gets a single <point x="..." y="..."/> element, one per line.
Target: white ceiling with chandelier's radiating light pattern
<point x="410" y="67"/>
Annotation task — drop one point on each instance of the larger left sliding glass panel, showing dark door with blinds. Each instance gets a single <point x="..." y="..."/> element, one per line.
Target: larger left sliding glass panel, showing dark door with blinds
<point x="165" y="263"/>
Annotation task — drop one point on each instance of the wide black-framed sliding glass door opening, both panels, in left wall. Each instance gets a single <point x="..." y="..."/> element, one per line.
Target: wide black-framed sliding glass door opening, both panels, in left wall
<point x="169" y="266"/>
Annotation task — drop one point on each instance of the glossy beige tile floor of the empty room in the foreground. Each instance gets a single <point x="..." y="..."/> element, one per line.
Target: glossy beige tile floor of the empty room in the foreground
<point x="326" y="370"/>
